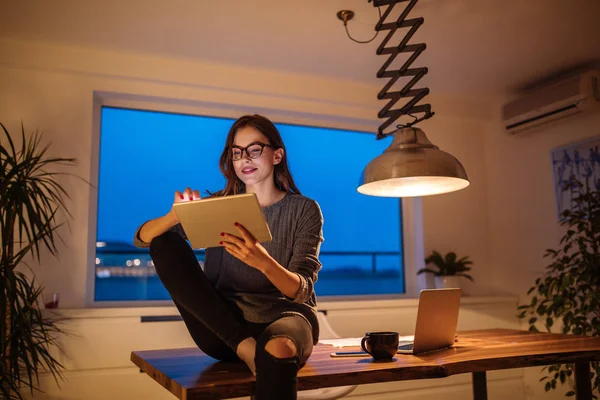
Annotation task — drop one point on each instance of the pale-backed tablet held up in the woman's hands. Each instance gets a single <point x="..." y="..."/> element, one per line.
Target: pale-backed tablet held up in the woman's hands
<point x="203" y="220"/>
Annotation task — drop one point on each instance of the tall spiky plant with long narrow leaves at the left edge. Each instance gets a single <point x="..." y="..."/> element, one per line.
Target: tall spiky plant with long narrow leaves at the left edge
<point x="31" y="199"/>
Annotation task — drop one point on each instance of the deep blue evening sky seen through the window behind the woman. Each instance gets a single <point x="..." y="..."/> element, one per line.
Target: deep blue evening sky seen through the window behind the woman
<point x="146" y="156"/>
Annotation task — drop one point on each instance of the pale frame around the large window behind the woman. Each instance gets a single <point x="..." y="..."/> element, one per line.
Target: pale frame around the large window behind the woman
<point x="410" y="209"/>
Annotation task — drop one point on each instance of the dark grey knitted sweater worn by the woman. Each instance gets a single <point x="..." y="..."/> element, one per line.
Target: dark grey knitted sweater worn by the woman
<point x="296" y="224"/>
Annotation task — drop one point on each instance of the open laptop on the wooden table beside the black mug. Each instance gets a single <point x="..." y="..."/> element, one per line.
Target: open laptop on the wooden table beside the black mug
<point x="437" y="319"/>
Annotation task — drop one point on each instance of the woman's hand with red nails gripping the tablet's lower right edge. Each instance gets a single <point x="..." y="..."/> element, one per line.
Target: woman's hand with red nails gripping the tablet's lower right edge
<point x="246" y="248"/>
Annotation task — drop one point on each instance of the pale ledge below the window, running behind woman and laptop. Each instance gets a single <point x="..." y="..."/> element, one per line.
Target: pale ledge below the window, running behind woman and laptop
<point x="326" y="304"/>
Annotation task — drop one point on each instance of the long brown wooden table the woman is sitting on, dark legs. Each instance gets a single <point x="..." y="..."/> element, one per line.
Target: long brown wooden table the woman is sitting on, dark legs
<point x="190" y="374"/>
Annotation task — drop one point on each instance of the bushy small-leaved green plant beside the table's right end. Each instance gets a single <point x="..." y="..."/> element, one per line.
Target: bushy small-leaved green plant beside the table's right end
<point x="566" y="298"/>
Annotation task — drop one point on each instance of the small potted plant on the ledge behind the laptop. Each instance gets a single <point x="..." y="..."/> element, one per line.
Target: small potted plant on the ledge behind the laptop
<point x="447" y="269"/>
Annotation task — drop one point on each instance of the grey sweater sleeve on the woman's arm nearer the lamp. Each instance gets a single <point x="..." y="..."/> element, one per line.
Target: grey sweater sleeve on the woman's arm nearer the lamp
<point x="305" y="250"/>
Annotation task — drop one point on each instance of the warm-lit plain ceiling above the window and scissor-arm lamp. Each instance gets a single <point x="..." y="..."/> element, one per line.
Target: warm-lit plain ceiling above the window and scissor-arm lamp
<point x="483" y="47"/>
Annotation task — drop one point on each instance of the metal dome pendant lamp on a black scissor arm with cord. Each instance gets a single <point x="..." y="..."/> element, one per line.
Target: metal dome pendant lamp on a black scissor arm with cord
<point x="411" y="166"/>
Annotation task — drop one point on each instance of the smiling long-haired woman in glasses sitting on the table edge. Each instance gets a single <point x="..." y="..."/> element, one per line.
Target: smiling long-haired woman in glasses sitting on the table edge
<point x="253" y="301"/>
